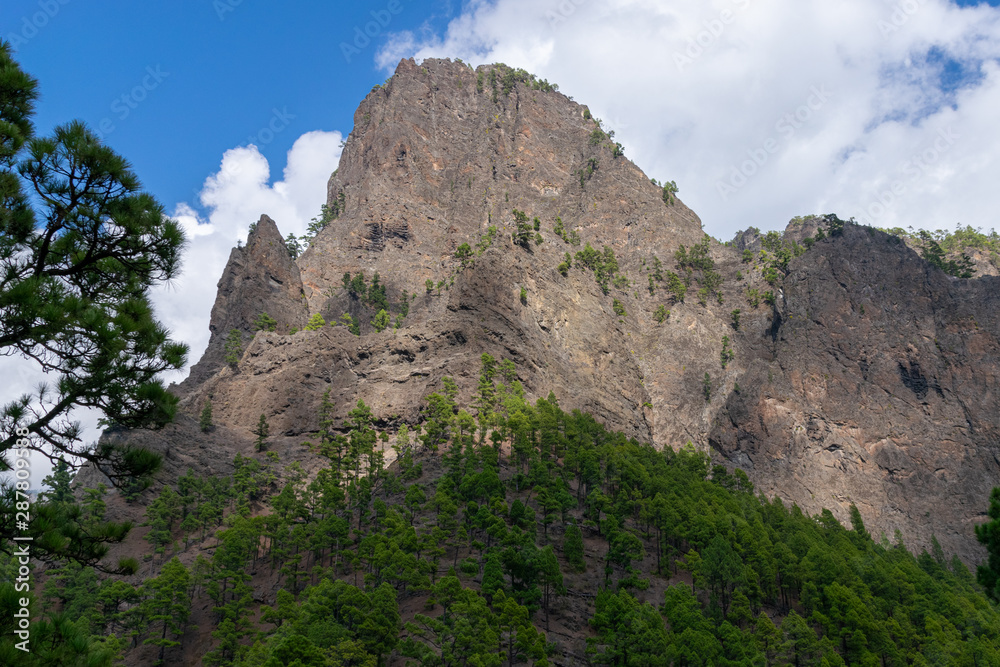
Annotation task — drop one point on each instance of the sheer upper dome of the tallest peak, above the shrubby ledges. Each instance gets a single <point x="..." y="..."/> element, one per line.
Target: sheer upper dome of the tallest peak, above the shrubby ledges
<point x="441" y="152"/>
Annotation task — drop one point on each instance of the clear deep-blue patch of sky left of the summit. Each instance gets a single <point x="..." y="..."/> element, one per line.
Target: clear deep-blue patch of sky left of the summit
<point x="224" y="67"/>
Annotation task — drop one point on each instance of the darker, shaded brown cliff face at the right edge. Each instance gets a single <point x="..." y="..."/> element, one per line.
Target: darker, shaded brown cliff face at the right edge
<point x="882" y="390"/>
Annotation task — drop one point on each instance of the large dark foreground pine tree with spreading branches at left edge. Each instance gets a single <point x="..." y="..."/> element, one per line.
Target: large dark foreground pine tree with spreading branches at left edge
<point x="81" y="246"/>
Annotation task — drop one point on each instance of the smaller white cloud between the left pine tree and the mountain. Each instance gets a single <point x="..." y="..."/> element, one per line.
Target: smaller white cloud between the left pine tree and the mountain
<point x="234" y="197"/>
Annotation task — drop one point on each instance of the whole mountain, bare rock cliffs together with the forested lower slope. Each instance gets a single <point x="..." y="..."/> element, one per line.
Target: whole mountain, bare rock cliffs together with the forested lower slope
<point x="517" y="254"/>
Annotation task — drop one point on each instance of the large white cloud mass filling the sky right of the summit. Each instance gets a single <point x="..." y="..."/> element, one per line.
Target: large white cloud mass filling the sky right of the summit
<point x="763" y="111"/>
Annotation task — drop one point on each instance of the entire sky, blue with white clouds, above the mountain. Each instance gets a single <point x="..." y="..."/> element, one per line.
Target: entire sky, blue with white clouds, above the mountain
<point x="760" y="111"/>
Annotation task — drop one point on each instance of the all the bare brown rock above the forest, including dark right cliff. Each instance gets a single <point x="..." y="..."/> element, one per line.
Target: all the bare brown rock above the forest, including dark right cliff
<point x="871" y="380"/>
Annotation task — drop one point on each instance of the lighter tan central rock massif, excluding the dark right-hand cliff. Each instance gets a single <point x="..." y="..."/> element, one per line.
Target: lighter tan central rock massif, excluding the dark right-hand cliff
<point x="435" y="161"/>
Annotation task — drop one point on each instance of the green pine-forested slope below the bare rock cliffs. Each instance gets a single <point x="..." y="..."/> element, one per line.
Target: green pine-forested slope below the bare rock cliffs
<point x="521" y="535"/>
